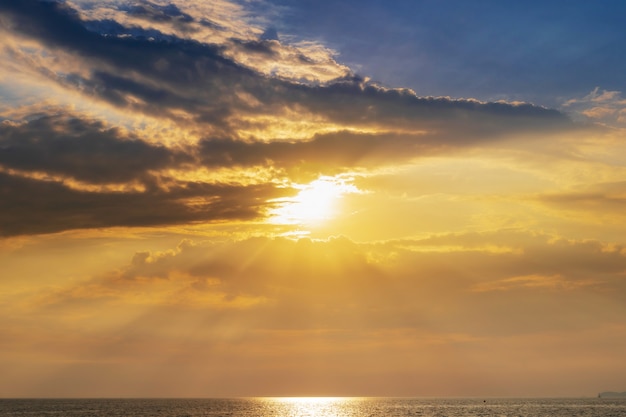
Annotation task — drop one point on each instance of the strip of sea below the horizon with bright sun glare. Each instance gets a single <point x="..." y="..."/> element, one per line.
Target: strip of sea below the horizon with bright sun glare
<point x="315" y="407"/>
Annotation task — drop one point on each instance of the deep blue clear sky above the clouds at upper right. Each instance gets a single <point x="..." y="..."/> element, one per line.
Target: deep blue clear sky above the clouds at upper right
<point x="543" y="51"/>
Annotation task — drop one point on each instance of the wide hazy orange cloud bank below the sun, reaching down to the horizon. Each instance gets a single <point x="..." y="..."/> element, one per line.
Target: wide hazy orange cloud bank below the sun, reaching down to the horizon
<point x="278" y="307"/>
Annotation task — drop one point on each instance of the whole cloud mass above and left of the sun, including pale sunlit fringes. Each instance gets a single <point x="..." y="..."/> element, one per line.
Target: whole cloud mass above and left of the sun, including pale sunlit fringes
<point x="216" y="105"/>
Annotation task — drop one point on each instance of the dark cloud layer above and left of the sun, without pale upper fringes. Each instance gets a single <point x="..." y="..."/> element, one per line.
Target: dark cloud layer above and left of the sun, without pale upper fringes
<point x="149" y="73"/>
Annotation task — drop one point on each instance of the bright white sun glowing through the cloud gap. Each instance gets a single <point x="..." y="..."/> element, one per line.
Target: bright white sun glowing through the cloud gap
<point x="315" y="203"/>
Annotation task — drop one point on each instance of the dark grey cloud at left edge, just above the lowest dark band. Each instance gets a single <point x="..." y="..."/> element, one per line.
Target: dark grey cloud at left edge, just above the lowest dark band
<point x="85" y="150"/>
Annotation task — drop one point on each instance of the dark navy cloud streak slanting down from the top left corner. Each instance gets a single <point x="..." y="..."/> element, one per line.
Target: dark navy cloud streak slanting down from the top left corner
<point x="58" y="26"/>
